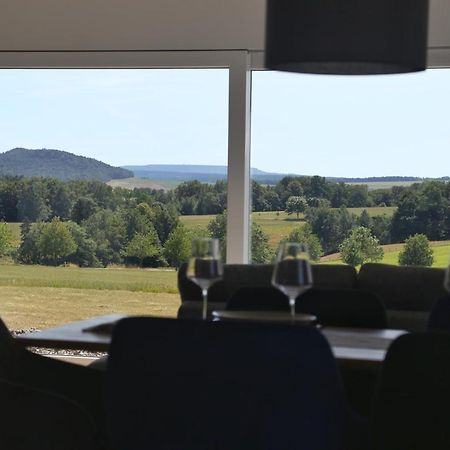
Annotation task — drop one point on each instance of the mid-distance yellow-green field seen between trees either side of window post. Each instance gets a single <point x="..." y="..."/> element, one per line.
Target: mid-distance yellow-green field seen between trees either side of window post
<point x="279" y="224"/>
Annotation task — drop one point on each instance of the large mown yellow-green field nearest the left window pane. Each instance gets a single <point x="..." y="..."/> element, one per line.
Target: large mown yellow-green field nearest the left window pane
<point x="41" y="297"/>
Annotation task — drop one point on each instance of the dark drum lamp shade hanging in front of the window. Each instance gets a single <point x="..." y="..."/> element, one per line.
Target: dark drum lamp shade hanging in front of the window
<point x="347" y="37"/>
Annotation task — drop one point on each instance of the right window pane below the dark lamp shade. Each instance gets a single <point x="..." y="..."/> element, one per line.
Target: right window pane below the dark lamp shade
<point x="371" y="151"/>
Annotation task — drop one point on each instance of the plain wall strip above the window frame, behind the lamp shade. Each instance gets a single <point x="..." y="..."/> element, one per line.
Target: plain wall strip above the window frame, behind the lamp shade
<point x="151" y="24"/>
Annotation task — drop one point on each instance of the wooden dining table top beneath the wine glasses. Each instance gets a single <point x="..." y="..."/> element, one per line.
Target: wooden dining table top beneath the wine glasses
<point x="349" y="345"/>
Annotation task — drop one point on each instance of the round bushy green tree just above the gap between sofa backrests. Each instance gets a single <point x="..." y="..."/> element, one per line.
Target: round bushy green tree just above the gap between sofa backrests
<point x="360" y="247"/>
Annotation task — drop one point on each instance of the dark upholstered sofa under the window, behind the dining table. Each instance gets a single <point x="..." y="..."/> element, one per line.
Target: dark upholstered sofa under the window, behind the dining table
<point x="408" y="293"/>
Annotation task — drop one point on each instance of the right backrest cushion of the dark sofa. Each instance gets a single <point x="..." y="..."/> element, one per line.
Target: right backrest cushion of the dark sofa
<point x="403" y="288"/>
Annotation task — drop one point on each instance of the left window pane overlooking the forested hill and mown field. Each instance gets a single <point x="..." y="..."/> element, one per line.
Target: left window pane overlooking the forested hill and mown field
<point x="87" y="237"/>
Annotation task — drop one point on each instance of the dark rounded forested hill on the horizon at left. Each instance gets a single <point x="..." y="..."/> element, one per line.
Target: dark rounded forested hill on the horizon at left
<point x="57" y="164"/>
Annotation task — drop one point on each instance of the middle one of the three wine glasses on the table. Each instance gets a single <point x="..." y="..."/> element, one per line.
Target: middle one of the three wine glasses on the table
<point x="292" y="273"/>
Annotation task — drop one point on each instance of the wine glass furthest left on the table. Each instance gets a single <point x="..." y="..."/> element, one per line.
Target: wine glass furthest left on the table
<point x="205" y="266"/>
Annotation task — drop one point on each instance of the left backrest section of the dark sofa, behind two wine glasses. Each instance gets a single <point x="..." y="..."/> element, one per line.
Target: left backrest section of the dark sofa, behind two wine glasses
<point x="237" y="276"/>
